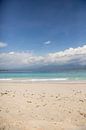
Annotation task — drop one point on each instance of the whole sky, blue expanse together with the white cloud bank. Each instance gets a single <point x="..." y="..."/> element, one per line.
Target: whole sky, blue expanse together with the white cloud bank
<point x="42" y="32"/>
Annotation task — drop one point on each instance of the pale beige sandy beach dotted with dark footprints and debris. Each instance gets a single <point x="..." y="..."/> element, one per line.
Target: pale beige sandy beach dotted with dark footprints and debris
<point x="42" y="105"/>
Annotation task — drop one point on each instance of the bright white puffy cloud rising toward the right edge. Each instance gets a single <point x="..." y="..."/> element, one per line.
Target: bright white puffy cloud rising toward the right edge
<point x="68" y="55"/>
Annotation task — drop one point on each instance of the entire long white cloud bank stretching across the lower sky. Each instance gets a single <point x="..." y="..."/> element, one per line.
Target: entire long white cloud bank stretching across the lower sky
<point x="26" y="59"/>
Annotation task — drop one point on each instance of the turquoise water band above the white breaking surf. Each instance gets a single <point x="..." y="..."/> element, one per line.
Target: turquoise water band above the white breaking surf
<point x="66" y="75"/>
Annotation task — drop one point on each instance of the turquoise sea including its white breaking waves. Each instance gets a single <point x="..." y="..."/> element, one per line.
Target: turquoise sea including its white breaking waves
<point x="72" y="75"/>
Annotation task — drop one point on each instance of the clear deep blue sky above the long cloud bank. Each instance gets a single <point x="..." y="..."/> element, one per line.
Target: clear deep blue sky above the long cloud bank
<point x="42" y="26"/>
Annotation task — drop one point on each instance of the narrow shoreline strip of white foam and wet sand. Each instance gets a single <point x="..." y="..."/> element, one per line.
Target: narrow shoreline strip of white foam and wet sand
<point x="43" y="80"/>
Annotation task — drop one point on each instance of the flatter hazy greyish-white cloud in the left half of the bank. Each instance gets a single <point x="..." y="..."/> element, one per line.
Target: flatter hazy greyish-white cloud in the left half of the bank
<point x="18" y="59"/>
